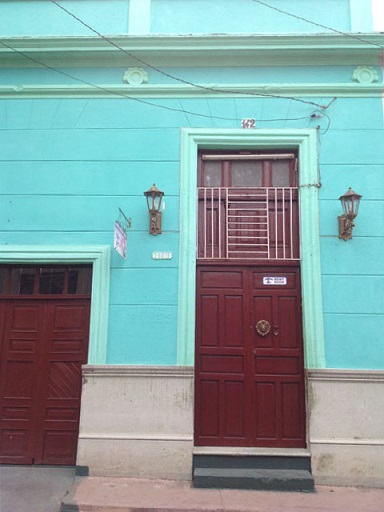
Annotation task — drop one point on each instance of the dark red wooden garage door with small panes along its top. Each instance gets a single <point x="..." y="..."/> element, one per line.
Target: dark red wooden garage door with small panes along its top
<point x="44" y="326"/>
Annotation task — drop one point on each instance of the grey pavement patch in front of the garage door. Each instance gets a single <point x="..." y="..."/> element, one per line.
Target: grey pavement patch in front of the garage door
<point x="34" y="488"/>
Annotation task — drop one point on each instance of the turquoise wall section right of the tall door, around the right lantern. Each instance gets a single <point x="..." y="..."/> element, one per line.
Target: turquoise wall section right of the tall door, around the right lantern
<point x="353" y="272"/>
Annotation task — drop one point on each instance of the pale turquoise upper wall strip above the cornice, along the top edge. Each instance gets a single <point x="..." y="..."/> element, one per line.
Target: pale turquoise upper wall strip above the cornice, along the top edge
<point x="42" y="18"/>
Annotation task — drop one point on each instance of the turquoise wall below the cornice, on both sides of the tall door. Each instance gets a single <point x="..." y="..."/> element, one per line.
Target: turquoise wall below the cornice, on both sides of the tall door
<point x="68" y="165"/>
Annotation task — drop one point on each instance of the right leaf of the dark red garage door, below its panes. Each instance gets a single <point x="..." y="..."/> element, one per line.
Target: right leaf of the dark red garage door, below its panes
<point x="66" y="345"/>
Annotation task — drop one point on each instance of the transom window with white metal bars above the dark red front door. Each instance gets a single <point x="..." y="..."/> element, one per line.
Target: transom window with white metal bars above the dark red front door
<point x="248" y="206"/>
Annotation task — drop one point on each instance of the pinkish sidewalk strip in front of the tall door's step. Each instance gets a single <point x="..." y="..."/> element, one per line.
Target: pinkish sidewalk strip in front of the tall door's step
<point x="95" y="494"/>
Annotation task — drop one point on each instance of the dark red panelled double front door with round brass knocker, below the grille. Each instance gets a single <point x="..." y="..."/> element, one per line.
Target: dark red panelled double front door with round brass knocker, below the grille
<point x="249" y="382"/>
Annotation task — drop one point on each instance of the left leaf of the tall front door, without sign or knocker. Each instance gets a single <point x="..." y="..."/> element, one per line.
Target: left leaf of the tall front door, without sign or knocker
<point x="221" y="356"/>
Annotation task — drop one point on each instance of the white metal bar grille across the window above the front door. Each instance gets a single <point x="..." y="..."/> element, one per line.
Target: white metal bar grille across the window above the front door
<point x="237" y="223"/>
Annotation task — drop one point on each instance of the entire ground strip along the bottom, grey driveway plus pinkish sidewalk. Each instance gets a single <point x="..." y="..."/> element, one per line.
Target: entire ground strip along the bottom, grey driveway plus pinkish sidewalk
<point x="53" y="489"/>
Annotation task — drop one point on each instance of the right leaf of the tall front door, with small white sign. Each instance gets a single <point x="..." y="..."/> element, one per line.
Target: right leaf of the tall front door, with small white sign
<point x="279" y="355"/>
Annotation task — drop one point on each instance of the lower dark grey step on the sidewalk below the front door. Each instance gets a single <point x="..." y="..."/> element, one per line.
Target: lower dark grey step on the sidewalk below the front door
<point x="299" y="480"/>
